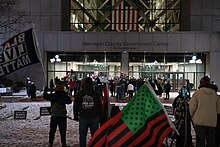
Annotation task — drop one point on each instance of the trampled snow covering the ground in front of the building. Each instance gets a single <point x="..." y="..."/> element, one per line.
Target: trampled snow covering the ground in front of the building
<point x="34" y="130"/>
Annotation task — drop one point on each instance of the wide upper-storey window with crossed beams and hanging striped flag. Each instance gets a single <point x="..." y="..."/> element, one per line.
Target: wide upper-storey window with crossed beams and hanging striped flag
<point x="136" y="15"/>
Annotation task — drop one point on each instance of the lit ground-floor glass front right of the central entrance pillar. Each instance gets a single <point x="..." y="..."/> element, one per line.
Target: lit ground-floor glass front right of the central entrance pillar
<point x="168" y="66"/>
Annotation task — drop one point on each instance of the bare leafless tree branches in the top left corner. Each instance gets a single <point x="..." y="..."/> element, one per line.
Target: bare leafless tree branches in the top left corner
<point x="12" y="19"/>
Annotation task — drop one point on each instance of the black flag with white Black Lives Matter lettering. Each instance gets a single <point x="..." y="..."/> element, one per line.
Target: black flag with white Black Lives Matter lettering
<point x="18" y="52"/>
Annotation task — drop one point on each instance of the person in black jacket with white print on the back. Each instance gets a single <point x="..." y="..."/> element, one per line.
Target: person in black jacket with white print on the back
<point x="87" y="110"/>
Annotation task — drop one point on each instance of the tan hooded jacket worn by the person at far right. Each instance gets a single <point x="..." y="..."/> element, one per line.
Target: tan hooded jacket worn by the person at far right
<point x="205" y="105"/>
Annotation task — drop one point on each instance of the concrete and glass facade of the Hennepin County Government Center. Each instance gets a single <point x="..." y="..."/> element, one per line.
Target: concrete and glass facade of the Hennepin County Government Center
<point x="174" y="40"/>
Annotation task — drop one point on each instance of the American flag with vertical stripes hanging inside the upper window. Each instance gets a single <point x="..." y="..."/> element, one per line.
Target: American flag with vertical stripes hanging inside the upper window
<point x="124" y="17"/>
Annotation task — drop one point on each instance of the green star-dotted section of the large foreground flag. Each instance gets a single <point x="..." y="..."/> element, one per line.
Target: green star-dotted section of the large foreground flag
<point x="142" y="106"/>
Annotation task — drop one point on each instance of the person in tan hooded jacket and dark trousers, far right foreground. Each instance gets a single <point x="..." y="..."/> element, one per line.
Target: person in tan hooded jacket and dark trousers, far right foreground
<point x="204" y="107"/>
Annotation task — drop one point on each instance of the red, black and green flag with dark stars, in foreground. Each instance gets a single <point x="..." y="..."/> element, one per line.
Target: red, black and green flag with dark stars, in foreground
<point x="142" y="122"/>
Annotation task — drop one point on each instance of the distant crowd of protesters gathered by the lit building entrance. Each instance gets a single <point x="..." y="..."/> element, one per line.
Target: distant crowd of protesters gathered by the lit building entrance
<point x="119" y="87"/>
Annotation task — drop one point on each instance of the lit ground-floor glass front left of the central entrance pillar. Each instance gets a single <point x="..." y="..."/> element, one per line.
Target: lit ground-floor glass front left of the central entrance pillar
<point x="84" y="64"/>
